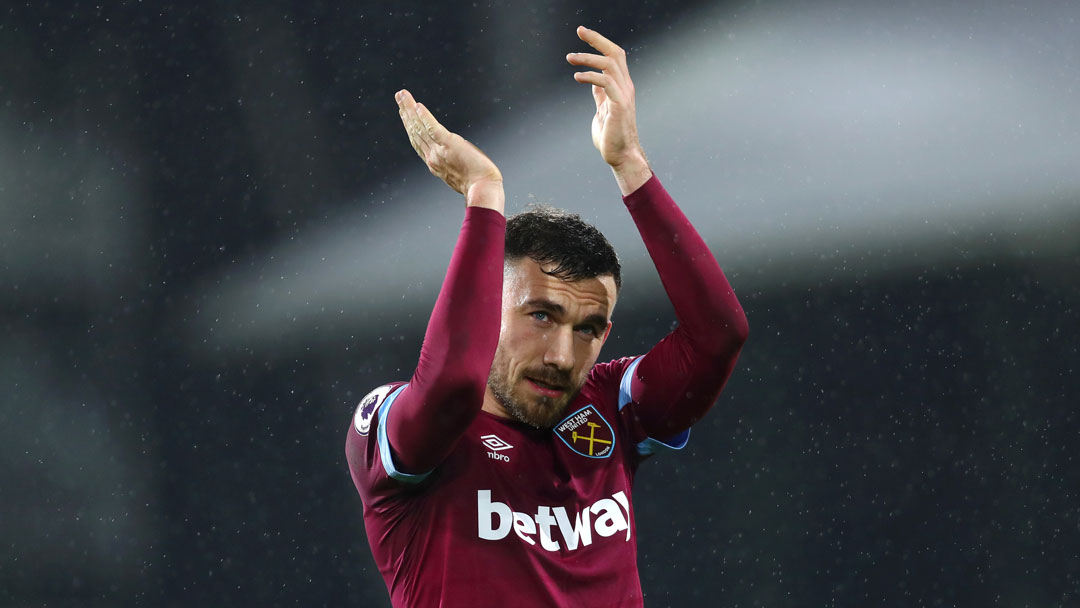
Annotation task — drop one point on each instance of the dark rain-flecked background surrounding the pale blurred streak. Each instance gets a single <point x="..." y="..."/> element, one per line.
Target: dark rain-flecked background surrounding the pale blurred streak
<point x="889" y="438"/>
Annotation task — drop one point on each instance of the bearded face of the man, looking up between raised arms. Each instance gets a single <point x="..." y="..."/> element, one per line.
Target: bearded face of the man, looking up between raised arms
<point x="552" y="333"/>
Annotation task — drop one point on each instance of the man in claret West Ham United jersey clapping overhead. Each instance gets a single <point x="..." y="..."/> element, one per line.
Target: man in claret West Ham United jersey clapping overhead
<point x="501" y="475"/>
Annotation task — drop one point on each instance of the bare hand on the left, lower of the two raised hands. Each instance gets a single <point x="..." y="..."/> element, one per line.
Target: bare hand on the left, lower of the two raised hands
<point x="450" y="157"/>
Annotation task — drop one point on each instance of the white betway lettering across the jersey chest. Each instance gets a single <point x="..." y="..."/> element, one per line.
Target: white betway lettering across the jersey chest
<point x="606" y="518"/>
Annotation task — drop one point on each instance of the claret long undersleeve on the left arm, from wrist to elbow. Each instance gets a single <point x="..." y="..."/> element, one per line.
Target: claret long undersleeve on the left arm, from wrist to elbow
<point x="447" y="390"/>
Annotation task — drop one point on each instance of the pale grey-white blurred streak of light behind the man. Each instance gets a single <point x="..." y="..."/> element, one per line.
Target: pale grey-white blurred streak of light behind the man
<point x="802" y="142"/>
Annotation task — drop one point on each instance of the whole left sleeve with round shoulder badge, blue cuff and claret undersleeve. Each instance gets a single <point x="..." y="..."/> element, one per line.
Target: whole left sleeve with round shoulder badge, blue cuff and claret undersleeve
<point x="402" y="431"/>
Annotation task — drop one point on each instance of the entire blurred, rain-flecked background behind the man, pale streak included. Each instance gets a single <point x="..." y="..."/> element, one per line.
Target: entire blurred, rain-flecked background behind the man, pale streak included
<point x="214" y="240"/>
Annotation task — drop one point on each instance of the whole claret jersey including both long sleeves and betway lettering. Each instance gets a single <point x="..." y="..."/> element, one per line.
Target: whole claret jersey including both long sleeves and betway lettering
<point x="467" y="509"/>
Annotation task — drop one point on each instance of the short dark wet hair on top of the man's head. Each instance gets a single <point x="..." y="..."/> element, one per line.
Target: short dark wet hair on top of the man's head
<point x="553" y="236"/>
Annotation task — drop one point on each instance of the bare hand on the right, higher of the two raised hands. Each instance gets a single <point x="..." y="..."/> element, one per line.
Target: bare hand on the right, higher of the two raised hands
<point x="615" y="125"/>
